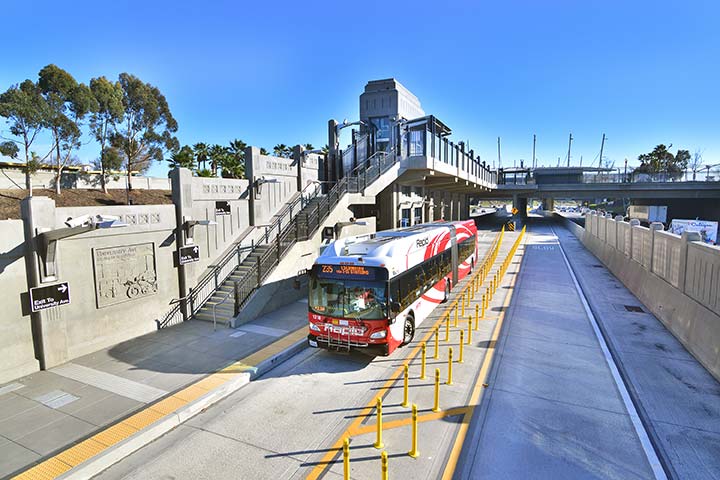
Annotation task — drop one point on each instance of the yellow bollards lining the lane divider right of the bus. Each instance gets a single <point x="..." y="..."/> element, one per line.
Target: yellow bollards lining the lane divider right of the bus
<point x="471" y="288"/>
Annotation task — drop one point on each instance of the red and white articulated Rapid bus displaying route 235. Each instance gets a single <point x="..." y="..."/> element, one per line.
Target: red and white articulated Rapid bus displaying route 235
<point x="370" y="292"/>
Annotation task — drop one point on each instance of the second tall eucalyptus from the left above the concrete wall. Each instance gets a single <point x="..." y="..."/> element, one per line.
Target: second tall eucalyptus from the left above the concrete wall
<point x="68" y="103"/>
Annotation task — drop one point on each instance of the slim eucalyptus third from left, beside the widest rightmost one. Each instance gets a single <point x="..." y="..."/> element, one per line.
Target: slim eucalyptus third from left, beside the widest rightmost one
<point x="103" y="121"/>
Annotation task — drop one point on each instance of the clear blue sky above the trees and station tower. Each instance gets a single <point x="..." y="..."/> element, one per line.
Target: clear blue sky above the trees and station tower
<point x="642" y="72"/>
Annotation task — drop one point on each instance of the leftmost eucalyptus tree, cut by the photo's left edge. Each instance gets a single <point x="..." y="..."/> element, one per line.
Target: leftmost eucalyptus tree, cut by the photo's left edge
<point x="26" y="111"/>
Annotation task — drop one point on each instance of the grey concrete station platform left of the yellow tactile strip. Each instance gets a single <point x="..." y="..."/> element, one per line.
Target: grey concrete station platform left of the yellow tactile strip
<point x="46" y="412"/>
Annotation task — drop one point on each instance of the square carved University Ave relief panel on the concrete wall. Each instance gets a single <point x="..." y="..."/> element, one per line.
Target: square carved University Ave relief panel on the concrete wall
<point x="124" y="273"/>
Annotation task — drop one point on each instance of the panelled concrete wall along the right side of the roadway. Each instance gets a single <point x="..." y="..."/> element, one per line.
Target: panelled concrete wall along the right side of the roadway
<point x="677" y="278"/>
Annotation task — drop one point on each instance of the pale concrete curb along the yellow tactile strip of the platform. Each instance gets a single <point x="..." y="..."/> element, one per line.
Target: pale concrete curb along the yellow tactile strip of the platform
<point x="125" y="448"/>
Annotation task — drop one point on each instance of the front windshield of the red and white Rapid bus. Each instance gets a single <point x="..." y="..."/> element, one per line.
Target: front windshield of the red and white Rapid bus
<point x="348" y="298"/>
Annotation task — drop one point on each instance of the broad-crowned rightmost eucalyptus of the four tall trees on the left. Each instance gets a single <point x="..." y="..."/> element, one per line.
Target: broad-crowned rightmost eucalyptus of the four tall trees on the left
<point x="147" y="128"/>
